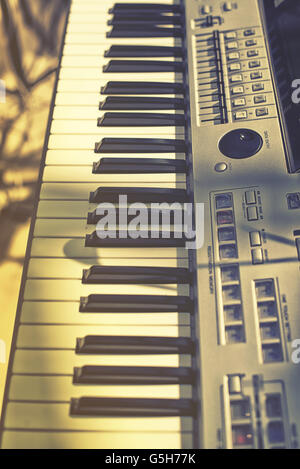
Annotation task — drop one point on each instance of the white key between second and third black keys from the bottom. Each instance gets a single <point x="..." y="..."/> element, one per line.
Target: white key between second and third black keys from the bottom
<point x="62" y="361"/>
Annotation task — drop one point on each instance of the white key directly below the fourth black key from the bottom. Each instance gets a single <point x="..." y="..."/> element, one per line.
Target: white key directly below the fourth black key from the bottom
<point x="45" y="312"/>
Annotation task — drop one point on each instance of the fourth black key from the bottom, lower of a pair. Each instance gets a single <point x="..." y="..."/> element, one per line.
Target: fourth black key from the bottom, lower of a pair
<point x="135" y="304"/>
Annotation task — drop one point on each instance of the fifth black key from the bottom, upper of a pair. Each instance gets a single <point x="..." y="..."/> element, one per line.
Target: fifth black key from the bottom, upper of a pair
<point x="103" y="275"/>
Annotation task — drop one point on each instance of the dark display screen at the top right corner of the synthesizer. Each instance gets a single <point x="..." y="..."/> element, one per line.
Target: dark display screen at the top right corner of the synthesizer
<point x="283" y="26"/>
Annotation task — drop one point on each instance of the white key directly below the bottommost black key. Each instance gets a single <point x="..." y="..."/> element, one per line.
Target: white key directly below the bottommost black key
<point x="56" y="417"/>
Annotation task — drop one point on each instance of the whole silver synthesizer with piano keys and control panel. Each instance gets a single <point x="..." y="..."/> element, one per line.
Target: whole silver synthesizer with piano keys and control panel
<point x="143" y="342"/>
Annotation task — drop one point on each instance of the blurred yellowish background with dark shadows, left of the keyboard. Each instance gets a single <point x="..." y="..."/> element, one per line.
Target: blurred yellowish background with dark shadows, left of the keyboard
<point x="30" y="41"/>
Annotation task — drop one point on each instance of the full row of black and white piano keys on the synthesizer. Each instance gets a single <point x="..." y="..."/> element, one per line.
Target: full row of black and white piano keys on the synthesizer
<point x="137" y="394"/>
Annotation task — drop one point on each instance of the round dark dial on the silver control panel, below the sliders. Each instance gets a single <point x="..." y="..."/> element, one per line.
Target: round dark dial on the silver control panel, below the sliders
<point x="240" y="144"/>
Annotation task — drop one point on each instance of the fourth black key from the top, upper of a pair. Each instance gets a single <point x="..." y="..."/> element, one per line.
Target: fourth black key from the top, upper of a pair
<point x="144" y="51"/>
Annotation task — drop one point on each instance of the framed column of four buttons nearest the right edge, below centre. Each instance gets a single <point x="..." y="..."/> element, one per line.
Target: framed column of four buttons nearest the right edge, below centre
<point x="271" y="341"/>
